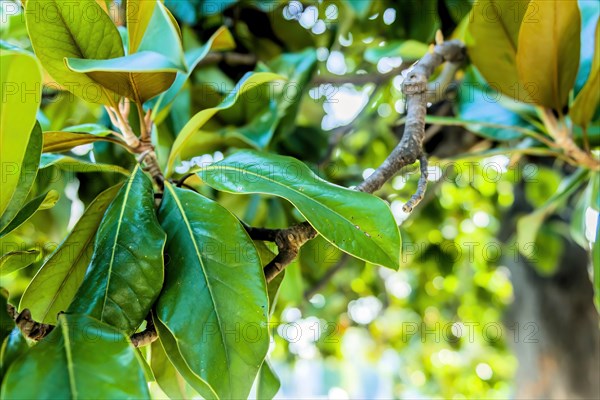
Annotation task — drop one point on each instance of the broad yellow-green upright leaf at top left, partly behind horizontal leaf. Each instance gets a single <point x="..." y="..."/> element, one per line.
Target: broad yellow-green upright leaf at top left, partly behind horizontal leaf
<point x="65" y="31"/>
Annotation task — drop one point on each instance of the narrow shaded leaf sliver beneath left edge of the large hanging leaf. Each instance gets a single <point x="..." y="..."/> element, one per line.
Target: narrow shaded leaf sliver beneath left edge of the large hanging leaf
<point x="172" y="350"/>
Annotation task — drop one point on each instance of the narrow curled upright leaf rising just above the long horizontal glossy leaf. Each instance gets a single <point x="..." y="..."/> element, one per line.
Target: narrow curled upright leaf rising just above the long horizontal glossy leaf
<point x="189" y="135"/>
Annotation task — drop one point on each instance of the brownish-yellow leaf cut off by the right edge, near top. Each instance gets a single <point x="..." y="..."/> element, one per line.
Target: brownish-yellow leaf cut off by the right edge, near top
<point x="586" y="103"/>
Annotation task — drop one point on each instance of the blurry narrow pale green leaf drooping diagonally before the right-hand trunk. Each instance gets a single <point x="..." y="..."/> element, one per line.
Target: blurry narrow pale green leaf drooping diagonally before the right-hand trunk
<point x="529" y="225"/>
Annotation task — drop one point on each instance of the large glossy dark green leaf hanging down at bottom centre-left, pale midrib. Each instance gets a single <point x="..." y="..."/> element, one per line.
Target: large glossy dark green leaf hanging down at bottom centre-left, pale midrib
<point x="214" y="301"/>
